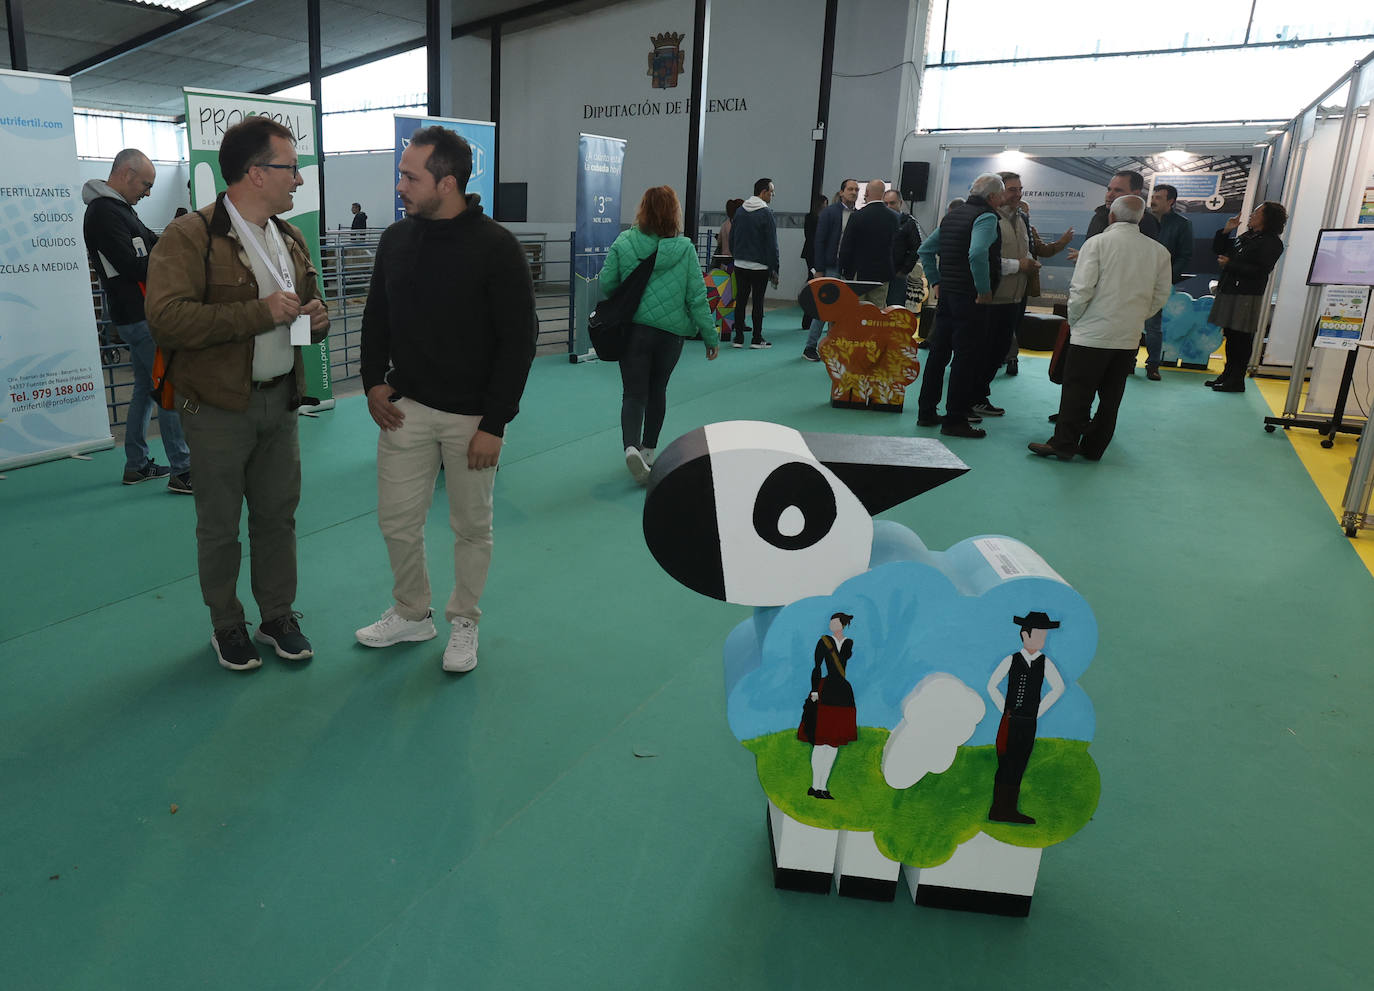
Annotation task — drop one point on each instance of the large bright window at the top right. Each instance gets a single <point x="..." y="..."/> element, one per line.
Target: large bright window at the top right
<point x="1180" y="63"/>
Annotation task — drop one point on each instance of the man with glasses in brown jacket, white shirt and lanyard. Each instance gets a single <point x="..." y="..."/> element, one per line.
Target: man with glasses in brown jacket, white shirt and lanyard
<point x="233" y="295"/>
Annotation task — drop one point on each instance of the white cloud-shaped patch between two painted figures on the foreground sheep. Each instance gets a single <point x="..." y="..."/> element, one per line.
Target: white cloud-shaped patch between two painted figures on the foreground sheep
<point x="939" y="715"/>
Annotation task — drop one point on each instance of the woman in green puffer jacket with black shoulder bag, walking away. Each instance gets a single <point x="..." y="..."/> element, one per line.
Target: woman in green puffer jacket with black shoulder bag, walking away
<point x="674" y="309"/>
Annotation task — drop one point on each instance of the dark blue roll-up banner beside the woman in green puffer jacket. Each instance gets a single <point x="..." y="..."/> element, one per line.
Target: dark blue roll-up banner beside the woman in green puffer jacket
<point x="600" y="166"/>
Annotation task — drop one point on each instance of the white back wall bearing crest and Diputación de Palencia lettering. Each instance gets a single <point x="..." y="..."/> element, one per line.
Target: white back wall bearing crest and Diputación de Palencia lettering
<point x="765" y="65"/>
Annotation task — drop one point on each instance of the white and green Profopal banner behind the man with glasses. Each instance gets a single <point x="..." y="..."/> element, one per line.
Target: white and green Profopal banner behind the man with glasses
<point x="208" y="116"/>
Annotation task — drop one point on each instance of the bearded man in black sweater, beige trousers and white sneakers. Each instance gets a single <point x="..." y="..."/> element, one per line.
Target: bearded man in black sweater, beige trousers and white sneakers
<point x="449" y="337"/>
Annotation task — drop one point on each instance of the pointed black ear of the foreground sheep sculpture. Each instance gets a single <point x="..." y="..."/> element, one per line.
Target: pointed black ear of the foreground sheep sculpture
<point x="886" y="472"/>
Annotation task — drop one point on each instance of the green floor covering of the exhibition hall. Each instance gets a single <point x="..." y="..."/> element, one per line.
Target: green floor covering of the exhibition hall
<point x="576" y="814"/>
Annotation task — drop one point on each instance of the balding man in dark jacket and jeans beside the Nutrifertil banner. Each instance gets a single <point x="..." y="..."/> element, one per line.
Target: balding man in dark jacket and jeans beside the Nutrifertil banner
<point x="119" y="245"/>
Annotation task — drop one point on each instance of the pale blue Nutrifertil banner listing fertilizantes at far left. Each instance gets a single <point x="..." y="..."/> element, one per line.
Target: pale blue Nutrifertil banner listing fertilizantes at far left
<point x="52" y="402"/>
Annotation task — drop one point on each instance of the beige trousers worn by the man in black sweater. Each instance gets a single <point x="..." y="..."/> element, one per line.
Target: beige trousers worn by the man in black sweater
<point x="407" y="467"/>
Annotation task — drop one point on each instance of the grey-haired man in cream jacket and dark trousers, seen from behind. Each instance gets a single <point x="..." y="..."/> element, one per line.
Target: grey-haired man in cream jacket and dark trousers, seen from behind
<point x="1122" y="278"/>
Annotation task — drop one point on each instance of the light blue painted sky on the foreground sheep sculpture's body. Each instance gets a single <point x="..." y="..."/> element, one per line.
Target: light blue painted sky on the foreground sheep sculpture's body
<point x="916" y="614"/>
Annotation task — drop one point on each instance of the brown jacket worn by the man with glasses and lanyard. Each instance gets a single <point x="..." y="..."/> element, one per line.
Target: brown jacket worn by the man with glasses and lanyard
<point x="204" y="307"/>
